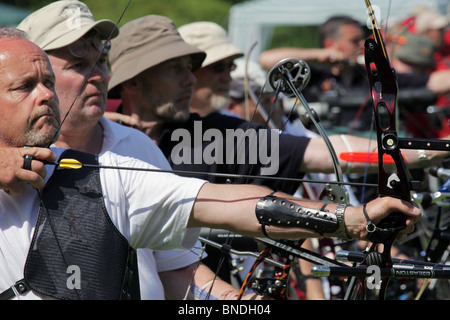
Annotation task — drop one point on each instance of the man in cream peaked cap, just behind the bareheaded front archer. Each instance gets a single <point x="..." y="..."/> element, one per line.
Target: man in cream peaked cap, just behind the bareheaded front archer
<point x="68" y="31"/>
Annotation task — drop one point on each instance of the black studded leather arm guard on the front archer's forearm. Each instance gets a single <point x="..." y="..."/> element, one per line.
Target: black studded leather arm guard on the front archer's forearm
<point x="274" y="211"/>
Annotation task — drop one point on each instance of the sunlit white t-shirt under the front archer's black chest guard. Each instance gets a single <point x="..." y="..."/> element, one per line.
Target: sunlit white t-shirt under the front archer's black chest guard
<point x="150" y="209"/>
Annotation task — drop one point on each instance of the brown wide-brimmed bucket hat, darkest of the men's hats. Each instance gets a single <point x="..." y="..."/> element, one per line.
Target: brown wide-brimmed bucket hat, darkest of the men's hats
<point x="144" y="43"/>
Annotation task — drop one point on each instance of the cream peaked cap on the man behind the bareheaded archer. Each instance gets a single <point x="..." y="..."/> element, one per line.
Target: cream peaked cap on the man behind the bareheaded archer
<point x="63" y="22"/>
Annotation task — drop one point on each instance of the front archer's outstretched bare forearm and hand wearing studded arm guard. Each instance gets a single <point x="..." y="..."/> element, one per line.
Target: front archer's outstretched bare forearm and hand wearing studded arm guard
<point x="233" y="207"/>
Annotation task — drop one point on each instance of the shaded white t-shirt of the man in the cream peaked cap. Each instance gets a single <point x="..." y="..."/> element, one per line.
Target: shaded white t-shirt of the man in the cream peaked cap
<point x="127" y="141"/>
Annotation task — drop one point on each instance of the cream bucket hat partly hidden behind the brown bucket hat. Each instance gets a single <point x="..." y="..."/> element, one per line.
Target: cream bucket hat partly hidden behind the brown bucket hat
<point x="211" y="38"/>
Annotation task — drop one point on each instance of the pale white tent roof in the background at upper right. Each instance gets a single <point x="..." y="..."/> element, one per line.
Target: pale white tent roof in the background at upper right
<point x="255" y="20"/>
